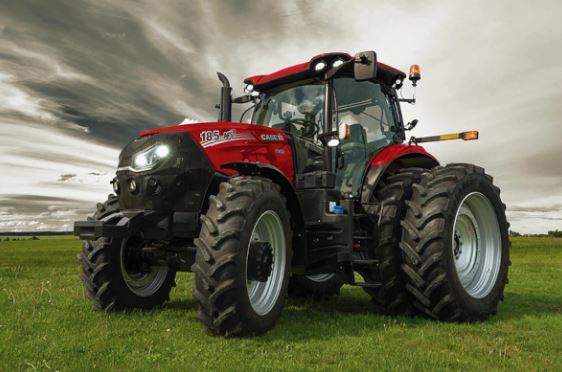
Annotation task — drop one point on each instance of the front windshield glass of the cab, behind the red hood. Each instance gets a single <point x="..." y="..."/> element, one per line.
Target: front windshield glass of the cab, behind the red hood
<point x="297" y="110"/>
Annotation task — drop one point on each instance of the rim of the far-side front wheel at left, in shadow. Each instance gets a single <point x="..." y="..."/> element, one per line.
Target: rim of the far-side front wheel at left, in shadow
<point x="140" y="283"/>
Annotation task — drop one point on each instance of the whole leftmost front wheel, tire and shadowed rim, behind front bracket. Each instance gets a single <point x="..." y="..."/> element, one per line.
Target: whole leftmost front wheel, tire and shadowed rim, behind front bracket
<point x="114" y="274"/>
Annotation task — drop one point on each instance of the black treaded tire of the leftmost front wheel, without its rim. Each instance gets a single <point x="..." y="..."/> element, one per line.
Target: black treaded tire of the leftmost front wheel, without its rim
<point x="103" y="277"/>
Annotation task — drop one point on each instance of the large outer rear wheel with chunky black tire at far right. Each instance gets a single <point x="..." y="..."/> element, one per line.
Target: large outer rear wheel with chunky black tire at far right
<point x="430" y="244"/>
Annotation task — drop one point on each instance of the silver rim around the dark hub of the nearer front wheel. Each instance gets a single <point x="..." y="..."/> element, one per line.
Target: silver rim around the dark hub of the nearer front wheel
<point x="264" y="295"/>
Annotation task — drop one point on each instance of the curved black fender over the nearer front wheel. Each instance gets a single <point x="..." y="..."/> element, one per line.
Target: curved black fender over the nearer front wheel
<point x="300" y="252"/>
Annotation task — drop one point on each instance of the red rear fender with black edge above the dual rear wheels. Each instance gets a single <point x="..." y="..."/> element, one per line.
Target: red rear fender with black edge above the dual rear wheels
<point x="390" y="159"/>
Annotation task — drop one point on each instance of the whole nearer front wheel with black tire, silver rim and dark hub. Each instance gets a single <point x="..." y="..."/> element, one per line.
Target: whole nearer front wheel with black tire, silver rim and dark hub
<point x="242" y="265"/>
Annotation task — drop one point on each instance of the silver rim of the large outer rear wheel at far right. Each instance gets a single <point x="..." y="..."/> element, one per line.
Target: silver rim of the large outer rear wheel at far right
<point x="476" y="245"/>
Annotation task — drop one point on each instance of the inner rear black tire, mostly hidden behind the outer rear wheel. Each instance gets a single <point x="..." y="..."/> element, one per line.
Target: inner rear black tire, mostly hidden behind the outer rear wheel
<point x="393" y="191"/>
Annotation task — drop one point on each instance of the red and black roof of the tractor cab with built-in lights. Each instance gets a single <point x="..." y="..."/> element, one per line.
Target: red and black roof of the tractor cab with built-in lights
<point x="385" y="73"/>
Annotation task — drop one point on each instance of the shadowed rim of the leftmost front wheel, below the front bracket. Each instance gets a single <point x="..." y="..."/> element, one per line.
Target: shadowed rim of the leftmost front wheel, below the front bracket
<point x="144" y="281"/>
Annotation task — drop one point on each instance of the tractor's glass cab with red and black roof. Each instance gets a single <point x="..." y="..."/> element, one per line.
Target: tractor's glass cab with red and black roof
<point x="309" y="101"/>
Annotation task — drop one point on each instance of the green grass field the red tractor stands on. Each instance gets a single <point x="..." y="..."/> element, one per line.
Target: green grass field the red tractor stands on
<point x="46" y="323"/>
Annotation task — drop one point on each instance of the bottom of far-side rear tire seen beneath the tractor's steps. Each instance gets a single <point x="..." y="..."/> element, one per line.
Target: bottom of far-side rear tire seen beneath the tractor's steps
<point x="309" y="287"/>
